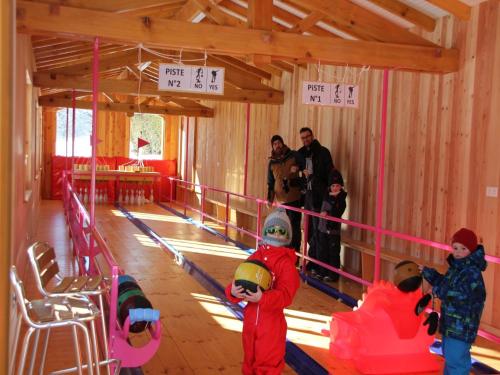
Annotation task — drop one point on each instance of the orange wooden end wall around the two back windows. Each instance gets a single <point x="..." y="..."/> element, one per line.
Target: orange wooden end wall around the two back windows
<point x="114" y="132"/>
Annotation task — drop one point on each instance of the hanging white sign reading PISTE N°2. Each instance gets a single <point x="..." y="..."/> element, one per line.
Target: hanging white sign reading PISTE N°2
<point x="189" y="78"/>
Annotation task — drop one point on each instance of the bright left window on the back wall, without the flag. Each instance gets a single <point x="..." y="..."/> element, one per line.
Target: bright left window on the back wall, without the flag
<point x="83" y="130"/>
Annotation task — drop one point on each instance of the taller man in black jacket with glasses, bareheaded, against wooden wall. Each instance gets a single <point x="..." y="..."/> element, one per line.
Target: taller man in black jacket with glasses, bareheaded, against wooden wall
<point x="319" y="163"/>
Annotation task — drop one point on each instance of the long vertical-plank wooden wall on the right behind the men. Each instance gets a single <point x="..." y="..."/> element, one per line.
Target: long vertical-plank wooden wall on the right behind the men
<point x="441" y="150"/>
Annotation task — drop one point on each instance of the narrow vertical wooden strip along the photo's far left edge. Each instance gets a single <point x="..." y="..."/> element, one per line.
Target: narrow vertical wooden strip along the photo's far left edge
<point x="6" y="64"/>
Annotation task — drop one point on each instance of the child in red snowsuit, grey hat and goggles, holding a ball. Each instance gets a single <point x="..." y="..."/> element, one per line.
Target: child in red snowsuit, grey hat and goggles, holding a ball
<point x="264" y="325"/>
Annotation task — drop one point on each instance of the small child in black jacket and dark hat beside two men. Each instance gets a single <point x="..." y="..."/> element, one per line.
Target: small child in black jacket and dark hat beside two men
<point x="334" y="204"/>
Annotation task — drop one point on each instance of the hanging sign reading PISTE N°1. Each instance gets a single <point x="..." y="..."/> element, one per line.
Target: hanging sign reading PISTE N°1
<point x="331" y="94"/>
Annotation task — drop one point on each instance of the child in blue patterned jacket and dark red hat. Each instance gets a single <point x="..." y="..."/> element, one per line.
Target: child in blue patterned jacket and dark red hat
<point x="462" y="294"/>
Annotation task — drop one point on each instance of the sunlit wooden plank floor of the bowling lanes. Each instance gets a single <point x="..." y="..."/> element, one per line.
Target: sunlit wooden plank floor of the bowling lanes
<point x="200" y="336"/>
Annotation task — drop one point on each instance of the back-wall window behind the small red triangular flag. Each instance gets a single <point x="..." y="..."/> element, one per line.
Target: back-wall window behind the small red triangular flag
<point x="151" y="129"/>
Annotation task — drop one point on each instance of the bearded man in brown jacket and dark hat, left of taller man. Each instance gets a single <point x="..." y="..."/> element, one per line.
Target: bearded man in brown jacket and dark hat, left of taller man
<point x="283" y="183"/>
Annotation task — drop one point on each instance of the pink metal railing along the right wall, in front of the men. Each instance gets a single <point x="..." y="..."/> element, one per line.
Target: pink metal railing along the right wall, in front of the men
<point x="304" y="251"/>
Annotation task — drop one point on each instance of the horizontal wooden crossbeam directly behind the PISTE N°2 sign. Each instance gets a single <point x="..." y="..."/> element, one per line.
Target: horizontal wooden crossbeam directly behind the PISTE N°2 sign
<point x="130" y="87"/>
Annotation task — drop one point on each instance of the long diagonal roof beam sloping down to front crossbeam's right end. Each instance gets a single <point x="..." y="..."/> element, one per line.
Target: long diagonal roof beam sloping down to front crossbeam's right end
<point x="356" y="17"/>
